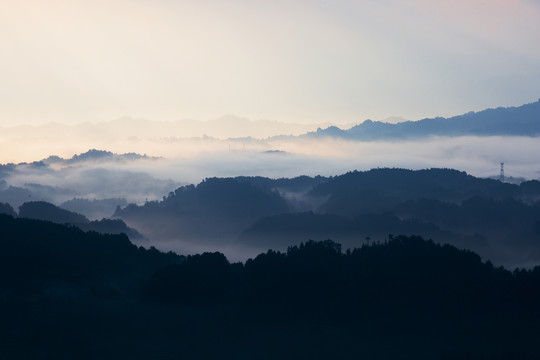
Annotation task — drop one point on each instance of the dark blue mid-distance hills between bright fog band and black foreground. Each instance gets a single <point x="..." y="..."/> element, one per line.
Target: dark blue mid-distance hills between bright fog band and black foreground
<point x="499" y="220"/>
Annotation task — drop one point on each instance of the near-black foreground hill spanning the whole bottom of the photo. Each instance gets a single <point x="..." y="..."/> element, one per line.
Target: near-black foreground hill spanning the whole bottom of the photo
<point x="68" y="294"/>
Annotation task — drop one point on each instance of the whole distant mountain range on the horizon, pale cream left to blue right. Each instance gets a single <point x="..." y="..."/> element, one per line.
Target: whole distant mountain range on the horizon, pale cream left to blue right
<point x="520" y="121"/>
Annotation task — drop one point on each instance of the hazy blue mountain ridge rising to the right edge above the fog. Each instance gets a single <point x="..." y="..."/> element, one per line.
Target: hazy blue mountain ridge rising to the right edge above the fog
<point x="520" y="121"/>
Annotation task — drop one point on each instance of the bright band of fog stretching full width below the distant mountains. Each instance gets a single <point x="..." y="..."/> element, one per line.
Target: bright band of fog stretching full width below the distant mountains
<point x="193" y="159"/>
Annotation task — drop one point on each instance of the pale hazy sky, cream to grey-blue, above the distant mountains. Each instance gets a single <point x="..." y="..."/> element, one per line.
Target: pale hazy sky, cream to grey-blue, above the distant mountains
<point x="336" y="60"/>
